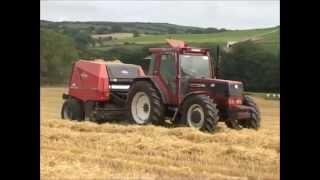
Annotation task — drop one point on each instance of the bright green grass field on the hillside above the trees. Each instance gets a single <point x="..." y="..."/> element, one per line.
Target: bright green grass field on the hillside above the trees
<point x="268" y="38"/>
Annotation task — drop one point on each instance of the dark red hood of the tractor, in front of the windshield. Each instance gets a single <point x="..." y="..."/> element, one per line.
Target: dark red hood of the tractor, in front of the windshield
<point x="217" y="86"/>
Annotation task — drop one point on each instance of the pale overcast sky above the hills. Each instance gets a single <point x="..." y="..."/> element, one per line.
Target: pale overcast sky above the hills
<point x="221" y="14"/>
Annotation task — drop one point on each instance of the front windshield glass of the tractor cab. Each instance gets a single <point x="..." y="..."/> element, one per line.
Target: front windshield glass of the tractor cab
<point x="195" y="65"/>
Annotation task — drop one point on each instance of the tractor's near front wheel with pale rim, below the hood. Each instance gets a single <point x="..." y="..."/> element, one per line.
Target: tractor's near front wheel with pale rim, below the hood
<point x="199" y="112"/>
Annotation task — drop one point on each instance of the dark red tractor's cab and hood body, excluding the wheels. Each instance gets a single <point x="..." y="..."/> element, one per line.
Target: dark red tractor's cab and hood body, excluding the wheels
<point x="181" y="69"/>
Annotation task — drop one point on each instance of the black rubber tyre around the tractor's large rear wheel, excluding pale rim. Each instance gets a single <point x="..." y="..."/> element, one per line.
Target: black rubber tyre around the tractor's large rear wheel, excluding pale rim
<point x="157" y="108"/>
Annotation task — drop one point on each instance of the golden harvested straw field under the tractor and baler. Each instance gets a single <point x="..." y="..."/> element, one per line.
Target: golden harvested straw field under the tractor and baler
<point x="85" y="150"/>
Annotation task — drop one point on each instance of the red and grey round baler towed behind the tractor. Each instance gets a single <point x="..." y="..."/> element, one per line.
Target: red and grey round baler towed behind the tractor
<point x="98" y="90"/>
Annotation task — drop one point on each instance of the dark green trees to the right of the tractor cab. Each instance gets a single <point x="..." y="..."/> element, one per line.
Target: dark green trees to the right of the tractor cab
<point x="257" y="69"/>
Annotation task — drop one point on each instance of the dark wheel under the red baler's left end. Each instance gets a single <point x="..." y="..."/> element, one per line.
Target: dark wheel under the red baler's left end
<point x="72" y="109"/>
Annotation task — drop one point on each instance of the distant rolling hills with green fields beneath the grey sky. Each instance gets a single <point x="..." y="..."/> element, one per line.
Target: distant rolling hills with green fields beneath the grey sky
<point x="122" y="34"/>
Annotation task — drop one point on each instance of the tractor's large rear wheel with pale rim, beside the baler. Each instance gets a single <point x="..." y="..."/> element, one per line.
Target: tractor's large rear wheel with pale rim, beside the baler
<point x="144" y="104"/>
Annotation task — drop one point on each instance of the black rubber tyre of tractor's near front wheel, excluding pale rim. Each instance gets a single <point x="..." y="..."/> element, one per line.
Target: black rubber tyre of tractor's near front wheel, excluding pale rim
<point x="210" y="110"/>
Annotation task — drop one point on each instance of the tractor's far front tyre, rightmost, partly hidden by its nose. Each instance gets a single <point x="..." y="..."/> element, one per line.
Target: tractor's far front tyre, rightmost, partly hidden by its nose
<point x="255" y="120"/>
